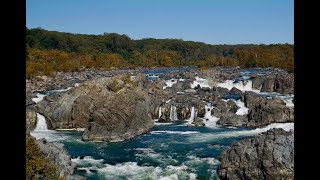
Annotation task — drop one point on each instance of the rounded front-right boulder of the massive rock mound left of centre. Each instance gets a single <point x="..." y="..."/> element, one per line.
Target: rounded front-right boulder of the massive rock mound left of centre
<point x="123" y="116"/>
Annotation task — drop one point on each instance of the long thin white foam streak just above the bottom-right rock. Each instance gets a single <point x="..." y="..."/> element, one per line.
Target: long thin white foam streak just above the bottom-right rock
<point x="204" y="137"/>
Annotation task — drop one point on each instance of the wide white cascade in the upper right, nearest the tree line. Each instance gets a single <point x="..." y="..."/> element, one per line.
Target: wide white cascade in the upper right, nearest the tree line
<point x="229" y="84"/>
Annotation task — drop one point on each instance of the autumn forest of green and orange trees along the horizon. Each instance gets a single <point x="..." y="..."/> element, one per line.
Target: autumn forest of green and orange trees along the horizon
<point x="48" y="52"/>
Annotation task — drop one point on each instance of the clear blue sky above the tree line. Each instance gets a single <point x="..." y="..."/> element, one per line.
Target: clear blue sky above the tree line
<point x="209" y="21"/>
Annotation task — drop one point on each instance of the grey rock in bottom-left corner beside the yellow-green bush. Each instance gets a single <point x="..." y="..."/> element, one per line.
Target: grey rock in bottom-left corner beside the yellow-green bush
<point x="60" y="158"/>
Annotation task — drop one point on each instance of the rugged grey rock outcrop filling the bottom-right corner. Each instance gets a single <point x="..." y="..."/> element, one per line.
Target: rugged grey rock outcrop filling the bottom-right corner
<point x="269" y="155"/>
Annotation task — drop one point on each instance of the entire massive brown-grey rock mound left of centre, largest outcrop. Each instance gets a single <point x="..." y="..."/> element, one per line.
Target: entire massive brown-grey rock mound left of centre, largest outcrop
<point x="111" y="109"/>
